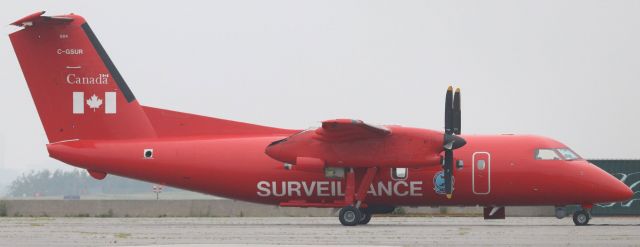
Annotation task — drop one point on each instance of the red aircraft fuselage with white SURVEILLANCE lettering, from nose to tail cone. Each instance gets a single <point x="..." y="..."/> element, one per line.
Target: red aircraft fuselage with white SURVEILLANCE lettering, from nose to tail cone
<point x="238" y="168"/>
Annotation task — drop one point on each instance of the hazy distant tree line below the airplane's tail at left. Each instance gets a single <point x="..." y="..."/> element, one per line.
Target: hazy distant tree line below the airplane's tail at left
<point x="74" y="182"/>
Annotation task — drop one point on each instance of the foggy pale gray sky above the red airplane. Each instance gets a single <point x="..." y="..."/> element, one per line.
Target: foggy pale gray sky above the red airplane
<point x="564" y="69"/>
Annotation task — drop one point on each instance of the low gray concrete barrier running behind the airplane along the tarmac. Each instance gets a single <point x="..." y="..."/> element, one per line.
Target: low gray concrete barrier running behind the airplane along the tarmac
<point x="210" y="208"/>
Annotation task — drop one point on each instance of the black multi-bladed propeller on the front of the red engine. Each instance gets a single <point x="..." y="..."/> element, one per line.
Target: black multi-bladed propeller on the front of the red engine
<point x="452" y="127"/>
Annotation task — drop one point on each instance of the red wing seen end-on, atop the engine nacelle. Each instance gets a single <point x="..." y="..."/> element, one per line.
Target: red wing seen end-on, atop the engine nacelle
<point x="349" y="130"/>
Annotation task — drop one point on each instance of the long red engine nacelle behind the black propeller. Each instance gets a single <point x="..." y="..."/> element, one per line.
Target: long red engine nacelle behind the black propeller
<point x="407" y="147"/>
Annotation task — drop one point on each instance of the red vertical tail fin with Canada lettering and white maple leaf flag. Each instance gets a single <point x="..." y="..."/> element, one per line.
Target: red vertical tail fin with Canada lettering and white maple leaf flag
<point x="77" y="90"/>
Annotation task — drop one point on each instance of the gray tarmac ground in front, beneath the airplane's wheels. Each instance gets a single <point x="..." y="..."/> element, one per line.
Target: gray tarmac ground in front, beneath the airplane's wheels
<point x="302" y="231"/>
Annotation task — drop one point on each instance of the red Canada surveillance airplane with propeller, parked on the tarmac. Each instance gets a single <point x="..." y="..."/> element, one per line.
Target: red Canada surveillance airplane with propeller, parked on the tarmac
<point x="93" y="121"/>
